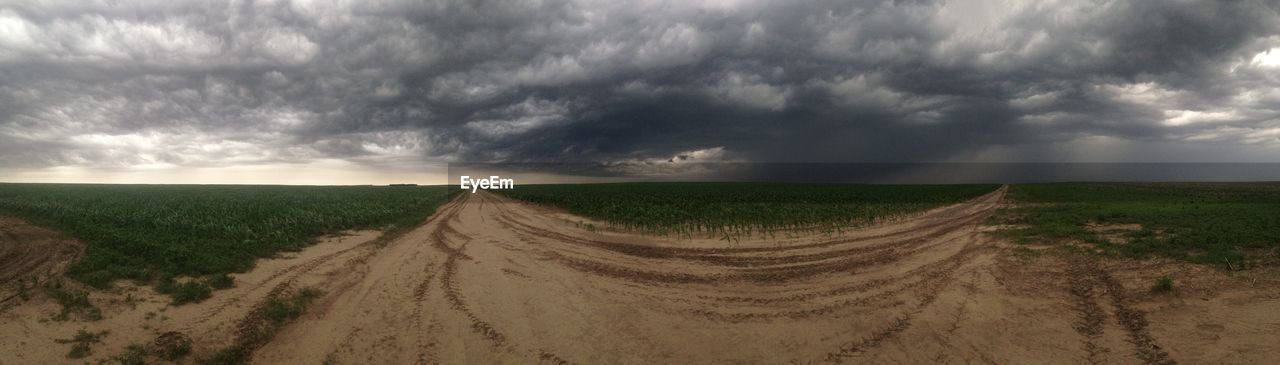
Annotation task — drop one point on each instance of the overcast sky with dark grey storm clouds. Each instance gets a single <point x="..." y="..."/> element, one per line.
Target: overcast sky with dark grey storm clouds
<point x="337" y="93"/>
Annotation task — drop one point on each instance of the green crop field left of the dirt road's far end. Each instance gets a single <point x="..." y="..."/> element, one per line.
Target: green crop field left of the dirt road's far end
<point x="154" y="234"/>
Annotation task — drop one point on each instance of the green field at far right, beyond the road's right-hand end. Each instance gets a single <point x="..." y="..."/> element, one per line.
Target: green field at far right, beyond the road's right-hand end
<point x="1215" y="223"/>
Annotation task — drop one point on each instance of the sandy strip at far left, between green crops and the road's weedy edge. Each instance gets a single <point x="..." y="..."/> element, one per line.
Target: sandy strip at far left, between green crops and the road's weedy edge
<point x="139" y="316"/>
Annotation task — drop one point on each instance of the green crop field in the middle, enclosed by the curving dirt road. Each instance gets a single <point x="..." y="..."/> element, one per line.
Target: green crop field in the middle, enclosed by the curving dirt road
<point x="743" y="208"/>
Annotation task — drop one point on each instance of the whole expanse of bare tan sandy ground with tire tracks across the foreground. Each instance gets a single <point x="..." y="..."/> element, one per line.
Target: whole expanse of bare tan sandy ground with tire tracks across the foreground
<point x="493" y="281"/>
